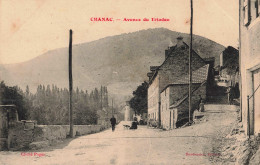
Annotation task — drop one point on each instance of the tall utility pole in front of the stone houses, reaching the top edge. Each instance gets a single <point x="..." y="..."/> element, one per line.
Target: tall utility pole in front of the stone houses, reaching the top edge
<point x="190" y="59"/>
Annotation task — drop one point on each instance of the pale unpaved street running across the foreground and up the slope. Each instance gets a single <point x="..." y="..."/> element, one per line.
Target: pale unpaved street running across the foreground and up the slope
<point x="194" y="144"/>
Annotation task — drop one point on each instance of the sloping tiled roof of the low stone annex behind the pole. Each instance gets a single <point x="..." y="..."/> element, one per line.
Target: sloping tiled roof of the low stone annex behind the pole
<point x="198" y="76"/>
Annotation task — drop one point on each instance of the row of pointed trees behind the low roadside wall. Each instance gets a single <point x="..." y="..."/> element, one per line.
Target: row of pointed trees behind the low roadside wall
<point x="49" y="105"/>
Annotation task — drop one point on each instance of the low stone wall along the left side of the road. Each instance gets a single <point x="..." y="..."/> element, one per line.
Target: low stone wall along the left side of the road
<point x="21" y="137"/>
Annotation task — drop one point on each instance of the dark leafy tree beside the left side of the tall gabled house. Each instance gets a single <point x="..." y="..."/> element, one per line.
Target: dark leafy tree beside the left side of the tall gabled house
<point x="139" y="102"/>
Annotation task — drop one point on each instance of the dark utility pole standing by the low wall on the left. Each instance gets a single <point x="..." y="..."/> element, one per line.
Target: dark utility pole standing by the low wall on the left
<point x="70" y="85"/>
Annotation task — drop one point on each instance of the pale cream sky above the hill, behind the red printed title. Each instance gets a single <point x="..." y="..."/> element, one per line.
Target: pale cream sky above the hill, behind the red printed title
<point x="30" y="28"/>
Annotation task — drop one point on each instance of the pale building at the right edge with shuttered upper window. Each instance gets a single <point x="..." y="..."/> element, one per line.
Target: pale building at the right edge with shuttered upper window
<point x="249" y="24"/>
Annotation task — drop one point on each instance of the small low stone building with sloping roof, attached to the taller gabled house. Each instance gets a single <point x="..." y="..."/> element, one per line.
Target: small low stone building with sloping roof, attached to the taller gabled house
<point x="174" y="97"/>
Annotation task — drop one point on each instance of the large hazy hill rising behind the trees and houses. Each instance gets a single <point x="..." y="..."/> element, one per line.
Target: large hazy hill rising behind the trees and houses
<point x="119" y="62"/>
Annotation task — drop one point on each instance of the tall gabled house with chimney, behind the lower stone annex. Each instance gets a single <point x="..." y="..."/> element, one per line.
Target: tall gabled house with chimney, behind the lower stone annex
<point x="176" y="65"/>
